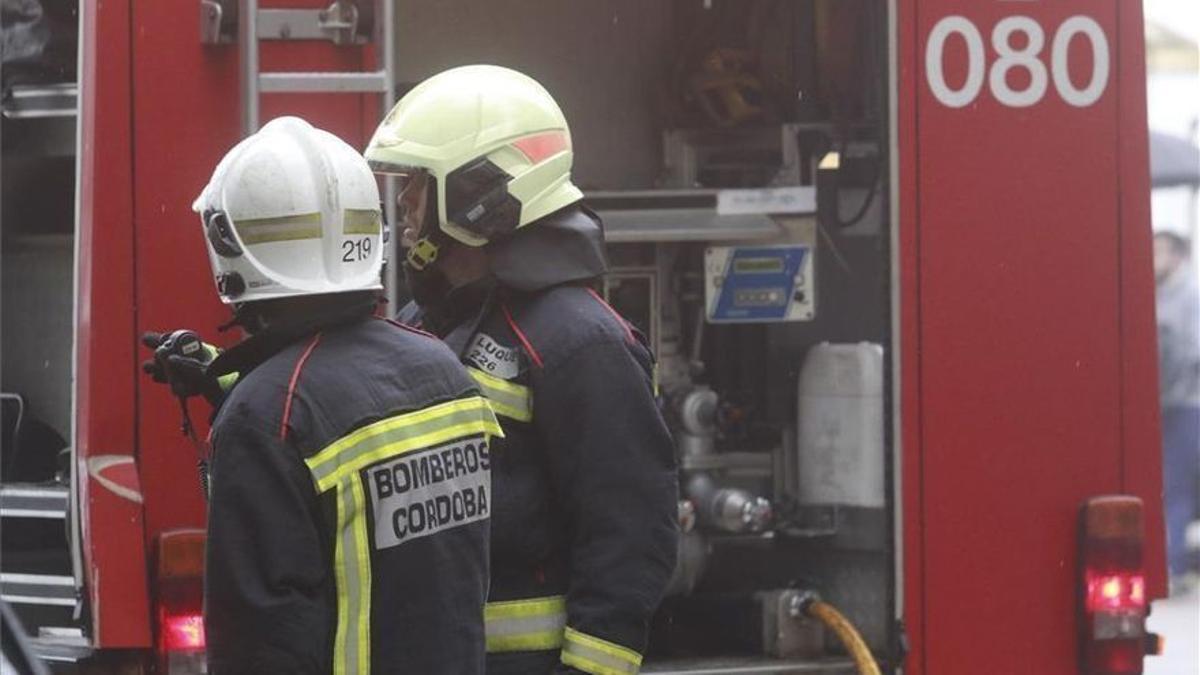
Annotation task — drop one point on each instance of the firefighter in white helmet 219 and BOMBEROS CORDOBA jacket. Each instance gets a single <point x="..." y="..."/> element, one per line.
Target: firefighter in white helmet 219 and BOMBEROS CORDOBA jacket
<point x="351" y="494"/>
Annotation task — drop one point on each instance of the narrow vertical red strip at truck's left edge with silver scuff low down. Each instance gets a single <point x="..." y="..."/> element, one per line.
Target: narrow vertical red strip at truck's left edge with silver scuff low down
<point x="115" y="558"/>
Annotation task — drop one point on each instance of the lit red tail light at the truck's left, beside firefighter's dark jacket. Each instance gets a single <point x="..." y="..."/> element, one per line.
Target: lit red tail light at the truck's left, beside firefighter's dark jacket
<point x="179" y="600"/>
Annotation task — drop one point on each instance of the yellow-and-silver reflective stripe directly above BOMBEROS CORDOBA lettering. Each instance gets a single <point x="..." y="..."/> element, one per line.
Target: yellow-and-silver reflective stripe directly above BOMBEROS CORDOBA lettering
<point x="403" y="434"/>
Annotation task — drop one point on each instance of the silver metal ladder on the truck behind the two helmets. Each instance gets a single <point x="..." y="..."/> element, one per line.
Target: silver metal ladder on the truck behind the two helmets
<point x="345" y="22"/>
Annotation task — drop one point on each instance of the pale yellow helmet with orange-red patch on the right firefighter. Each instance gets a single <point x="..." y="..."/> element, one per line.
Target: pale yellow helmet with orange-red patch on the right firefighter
<point x="494" y="142"/>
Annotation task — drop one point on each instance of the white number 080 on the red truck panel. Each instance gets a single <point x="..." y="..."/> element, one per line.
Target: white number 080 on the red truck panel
<point x="1025" y="58"/>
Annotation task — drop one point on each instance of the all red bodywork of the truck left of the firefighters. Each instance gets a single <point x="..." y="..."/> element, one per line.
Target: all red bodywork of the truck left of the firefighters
<point x="159" y="111"/>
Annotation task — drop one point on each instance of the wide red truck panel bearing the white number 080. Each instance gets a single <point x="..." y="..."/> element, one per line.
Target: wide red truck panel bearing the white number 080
<point x="1025" y="334"/>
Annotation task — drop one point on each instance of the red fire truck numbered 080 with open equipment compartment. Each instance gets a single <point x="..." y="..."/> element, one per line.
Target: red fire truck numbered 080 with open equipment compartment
<point x="895" y="258"/>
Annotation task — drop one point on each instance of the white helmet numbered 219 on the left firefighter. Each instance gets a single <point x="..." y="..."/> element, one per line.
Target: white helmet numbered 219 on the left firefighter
<point x="292" y="211"/>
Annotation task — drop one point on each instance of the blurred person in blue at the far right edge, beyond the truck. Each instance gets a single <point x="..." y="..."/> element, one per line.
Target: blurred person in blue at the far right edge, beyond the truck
<point x="1179" y="366"/>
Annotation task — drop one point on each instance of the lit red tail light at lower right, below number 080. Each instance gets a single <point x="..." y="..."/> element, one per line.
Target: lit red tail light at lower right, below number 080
<point x="1113" y="588"/>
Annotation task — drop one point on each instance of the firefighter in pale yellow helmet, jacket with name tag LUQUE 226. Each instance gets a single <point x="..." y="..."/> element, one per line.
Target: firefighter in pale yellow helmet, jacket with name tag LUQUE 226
<point x="503" y="261"/>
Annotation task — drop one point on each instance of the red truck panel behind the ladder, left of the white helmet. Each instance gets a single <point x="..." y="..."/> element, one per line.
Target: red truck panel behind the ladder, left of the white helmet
<point x="185" y="118"/>
